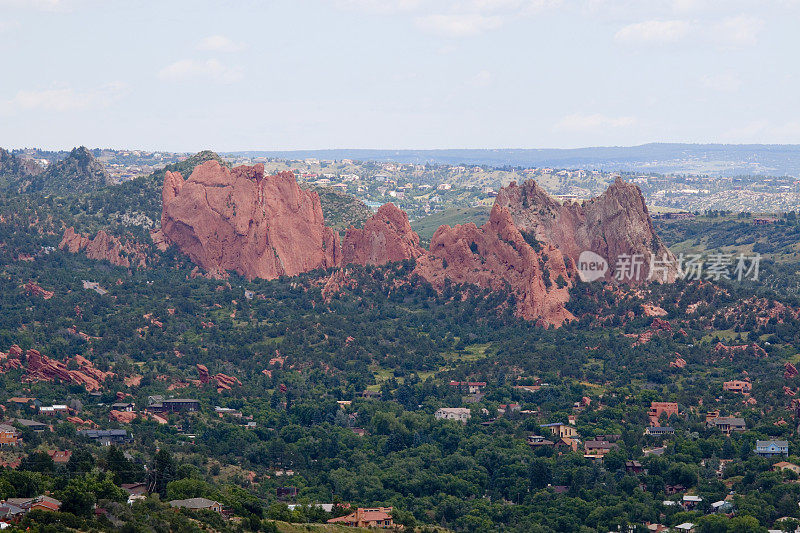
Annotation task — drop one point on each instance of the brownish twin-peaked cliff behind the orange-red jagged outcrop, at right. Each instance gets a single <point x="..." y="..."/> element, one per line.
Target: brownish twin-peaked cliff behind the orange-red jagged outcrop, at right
<point x="614" y="224"/>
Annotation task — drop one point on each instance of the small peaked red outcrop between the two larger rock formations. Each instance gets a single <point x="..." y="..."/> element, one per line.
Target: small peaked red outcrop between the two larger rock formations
<point x="387" y="236"/>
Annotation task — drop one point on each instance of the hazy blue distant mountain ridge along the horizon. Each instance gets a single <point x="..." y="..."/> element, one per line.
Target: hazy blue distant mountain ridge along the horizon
<point x="711" y="159"/>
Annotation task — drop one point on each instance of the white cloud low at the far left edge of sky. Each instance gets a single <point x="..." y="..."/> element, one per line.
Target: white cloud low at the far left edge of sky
<point x="63" y="99"/>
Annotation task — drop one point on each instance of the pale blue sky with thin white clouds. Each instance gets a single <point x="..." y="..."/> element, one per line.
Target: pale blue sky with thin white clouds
<point x="390" y="74"/>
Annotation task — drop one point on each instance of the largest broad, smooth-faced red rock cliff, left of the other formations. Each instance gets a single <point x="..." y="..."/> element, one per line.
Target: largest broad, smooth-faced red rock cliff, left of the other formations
<point x="238" y="219"/>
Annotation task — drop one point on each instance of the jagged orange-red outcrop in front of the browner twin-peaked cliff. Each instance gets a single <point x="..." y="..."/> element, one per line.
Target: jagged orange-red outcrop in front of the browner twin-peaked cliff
<point x="496" y="256"/>
